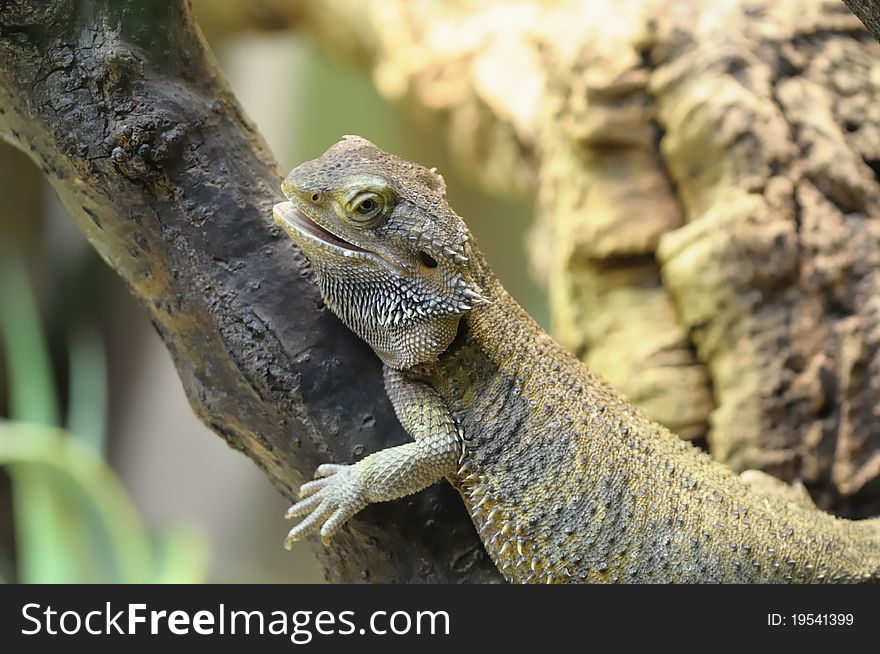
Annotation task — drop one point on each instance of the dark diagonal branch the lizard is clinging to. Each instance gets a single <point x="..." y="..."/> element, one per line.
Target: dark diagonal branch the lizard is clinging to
<point x="122" y="107"/>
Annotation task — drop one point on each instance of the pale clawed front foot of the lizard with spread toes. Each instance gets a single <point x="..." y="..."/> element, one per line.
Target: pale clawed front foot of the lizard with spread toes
<point x="333" y="497"/>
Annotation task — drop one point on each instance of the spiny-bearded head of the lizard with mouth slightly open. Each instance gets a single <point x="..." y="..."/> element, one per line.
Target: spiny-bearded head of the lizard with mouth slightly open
<point x="391" y="258"/>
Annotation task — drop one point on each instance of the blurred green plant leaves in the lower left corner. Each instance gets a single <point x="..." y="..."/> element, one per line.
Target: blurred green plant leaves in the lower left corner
<point x="74" y="522"/>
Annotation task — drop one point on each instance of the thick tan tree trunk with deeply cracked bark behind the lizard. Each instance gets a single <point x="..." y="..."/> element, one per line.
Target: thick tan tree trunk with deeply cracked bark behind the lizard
<point x="707" y="181"/>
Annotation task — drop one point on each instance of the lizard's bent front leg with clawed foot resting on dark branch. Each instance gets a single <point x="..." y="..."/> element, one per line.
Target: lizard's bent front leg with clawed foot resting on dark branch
<point x="340" y="491"/>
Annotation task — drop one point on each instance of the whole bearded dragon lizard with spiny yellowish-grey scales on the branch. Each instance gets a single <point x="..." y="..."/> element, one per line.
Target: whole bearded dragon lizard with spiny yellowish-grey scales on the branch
<point x="566" y="480"/>
